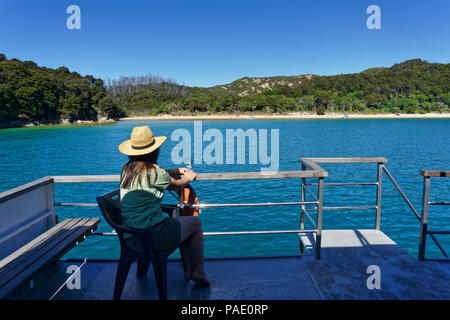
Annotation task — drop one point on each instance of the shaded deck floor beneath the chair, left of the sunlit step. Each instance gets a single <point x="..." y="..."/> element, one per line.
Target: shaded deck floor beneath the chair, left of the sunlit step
<point x="279" y="278"/>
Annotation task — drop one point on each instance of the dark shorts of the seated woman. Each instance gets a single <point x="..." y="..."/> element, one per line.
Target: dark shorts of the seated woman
<point x="164" y="236"/>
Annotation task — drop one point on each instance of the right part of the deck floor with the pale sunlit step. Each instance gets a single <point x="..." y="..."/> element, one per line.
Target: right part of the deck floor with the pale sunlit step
<point x="346" y="254"/>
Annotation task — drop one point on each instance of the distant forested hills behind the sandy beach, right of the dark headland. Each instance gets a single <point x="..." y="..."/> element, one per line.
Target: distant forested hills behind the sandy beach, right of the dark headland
<point x="414" y="86"/>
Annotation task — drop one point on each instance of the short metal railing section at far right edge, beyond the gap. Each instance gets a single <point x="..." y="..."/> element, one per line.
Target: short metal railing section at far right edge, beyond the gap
<point x="424" y="230"/>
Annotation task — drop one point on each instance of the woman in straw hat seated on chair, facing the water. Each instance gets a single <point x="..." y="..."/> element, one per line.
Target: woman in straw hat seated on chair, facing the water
<point x="142" y="185"/>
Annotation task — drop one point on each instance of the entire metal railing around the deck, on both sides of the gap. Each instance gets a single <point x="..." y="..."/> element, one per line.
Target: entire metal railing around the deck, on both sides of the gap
<point x="310" y="169"/>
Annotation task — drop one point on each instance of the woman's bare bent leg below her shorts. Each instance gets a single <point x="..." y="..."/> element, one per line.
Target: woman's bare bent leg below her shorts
<point x="192" y="241"/>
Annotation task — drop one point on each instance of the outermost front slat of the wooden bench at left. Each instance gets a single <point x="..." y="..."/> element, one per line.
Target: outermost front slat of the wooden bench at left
<point x="64" y="244"/>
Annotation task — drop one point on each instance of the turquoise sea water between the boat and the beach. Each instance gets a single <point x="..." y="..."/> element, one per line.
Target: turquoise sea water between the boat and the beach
<point x="27" y="154"/>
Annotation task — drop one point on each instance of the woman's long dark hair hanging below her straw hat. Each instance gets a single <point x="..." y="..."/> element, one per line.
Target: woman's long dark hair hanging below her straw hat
<point x="136" y="165"/>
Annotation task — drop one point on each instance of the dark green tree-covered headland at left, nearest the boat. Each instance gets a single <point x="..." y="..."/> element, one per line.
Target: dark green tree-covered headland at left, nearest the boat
<point x="29" y="92"/>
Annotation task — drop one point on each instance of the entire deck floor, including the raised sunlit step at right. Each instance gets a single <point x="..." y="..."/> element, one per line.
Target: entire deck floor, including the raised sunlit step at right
<point x="340" y="274"/>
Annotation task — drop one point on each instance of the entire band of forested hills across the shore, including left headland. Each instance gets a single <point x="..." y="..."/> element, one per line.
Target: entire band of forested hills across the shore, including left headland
<point x="29" y="92"/>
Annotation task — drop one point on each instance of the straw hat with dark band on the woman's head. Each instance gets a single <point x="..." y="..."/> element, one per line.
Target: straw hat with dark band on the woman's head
<point x="142" y="142"/>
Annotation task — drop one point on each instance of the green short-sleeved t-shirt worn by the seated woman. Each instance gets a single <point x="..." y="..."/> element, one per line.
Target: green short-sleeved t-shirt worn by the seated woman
<point x="141" y="204"/>
